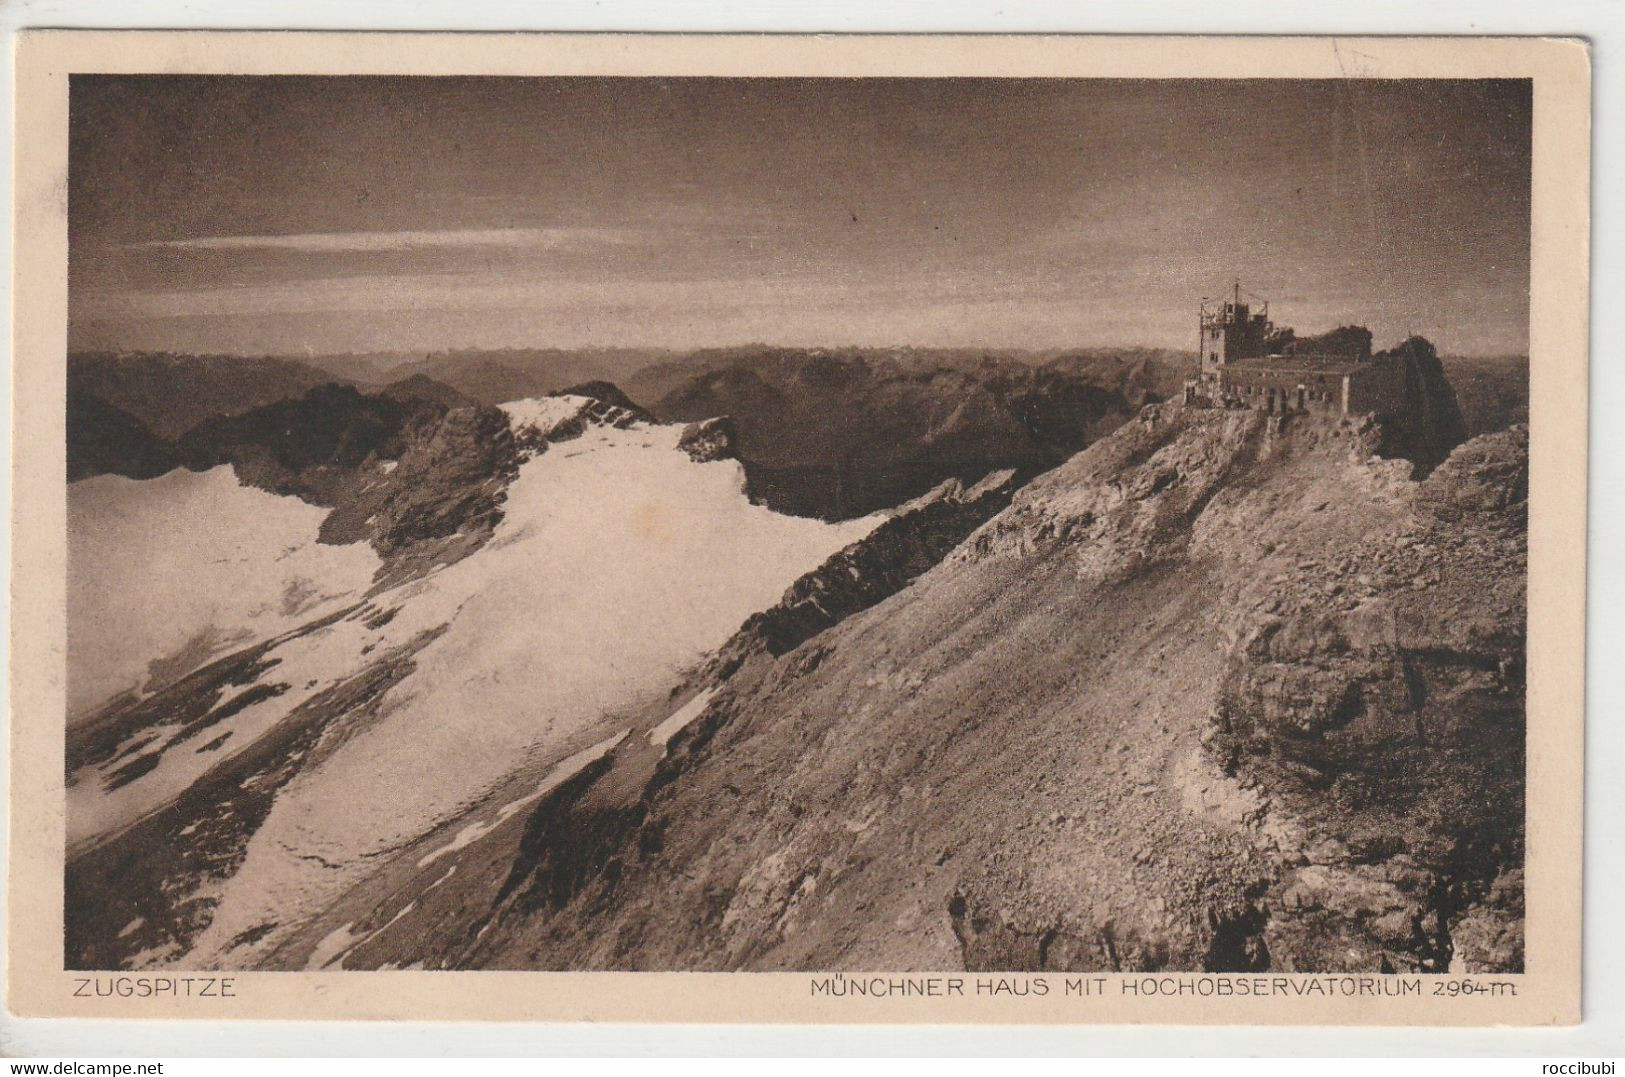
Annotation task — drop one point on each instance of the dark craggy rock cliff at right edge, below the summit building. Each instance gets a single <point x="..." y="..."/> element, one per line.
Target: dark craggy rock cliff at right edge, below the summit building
<point x="1384" y="709"/>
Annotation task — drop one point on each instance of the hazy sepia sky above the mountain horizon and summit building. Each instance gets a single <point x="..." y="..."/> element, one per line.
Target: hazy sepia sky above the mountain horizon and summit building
<point x="295" y="215"/>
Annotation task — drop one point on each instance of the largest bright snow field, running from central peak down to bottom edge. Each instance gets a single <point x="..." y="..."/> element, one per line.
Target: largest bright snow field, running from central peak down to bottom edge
<point x="620" y="563"/>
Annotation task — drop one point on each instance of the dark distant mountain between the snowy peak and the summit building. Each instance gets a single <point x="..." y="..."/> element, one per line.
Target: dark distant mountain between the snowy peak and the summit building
<point x="846" y="433"/>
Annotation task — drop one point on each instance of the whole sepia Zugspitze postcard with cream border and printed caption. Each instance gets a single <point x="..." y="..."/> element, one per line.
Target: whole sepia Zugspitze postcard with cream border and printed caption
<point x="799" y="529"/>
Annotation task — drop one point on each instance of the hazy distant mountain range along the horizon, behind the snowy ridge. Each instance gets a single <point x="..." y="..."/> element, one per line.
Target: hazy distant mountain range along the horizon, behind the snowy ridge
<point x="826" y="433"/>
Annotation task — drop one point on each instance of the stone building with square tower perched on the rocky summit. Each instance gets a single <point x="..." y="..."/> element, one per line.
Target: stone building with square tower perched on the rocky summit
<point x="1249" y="363"/>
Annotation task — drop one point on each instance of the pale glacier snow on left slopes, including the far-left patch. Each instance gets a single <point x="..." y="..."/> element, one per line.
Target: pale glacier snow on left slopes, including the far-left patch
<point x="618" y="566"/>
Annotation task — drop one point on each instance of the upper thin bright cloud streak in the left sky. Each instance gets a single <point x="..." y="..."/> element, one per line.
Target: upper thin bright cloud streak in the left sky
<point x="436" y="240"/>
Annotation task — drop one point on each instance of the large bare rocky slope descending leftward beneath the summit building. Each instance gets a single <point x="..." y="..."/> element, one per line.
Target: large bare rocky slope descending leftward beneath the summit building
<point x="1223" y="693"/>
